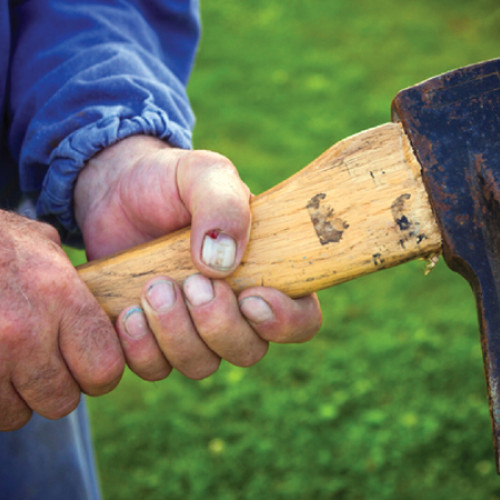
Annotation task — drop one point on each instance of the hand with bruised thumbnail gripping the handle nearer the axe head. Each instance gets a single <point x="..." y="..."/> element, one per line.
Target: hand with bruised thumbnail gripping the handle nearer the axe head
<point x="141" y="189"/>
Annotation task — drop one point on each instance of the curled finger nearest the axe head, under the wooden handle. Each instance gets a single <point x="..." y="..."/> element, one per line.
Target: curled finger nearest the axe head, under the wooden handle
<point x="278" y="318"/>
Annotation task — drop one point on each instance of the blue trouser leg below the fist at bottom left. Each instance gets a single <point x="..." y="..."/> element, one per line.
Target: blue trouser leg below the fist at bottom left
<point x="49" y="460"/>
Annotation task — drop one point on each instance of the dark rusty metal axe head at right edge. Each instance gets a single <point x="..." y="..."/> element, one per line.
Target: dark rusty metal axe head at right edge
<point x="453" y="123"/>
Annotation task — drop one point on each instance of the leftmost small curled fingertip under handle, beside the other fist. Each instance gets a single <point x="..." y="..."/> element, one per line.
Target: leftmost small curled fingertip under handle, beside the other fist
<point x="142" y="353"/>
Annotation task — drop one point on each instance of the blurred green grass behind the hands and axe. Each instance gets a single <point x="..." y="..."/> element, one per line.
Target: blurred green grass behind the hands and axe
<point x="389" y="401"/>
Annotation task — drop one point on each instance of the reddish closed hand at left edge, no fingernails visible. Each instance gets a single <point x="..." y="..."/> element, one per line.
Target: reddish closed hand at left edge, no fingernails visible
<point x="55" y="340"/>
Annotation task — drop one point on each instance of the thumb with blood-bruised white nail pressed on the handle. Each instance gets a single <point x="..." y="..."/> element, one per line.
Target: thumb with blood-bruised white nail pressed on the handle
<point x="210" y="187"/>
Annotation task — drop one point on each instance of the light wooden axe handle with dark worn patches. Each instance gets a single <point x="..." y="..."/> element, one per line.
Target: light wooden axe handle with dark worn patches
<point x="360" y="207"/>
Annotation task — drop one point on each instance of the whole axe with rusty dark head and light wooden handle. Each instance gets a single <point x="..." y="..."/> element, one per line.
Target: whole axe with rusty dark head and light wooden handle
<point x="427" y="183"/>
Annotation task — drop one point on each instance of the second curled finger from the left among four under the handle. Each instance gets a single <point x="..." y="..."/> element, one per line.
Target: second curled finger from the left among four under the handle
<point x="171" y="323"/>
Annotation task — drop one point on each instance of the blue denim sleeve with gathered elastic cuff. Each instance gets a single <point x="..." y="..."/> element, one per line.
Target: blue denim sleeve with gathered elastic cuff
<point x="85" y="74"/>
